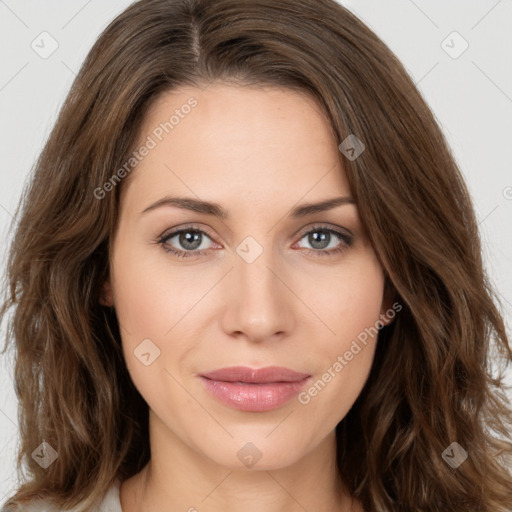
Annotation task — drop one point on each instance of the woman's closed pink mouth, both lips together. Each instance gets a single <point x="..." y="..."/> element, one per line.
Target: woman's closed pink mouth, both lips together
<point x="254" y="390"/>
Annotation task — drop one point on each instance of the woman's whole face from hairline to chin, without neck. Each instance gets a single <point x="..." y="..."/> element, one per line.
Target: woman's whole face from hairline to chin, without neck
<point x="267" y="285"/>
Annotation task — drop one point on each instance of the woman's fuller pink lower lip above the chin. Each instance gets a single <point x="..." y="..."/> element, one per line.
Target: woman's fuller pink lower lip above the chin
<point x="254" y="397"/>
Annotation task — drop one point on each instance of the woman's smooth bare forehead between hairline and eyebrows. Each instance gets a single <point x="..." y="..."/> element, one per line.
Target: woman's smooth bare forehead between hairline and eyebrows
<point x="225" y="140"/>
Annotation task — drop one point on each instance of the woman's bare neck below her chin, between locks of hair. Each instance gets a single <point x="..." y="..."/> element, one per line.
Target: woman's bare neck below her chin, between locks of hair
<point x="179" y="478"/>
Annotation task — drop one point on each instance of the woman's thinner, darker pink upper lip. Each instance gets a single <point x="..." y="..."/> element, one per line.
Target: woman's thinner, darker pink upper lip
<point x="255" y="375"/>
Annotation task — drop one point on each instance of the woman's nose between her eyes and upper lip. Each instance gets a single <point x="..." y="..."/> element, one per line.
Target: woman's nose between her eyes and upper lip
<point x="258" y="301"/>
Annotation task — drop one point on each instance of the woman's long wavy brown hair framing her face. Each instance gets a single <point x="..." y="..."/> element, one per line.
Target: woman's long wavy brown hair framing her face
<point x="432" y="382"/>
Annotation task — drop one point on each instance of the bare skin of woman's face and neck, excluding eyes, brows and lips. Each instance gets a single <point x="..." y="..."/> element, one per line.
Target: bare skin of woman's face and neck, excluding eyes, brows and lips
<point x="258" y="152"/>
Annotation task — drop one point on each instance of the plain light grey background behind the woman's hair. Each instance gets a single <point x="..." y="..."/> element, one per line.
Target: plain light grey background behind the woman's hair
<point x="471" y="97"/>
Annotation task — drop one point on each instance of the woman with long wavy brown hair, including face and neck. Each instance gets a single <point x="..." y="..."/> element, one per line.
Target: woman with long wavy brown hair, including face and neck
<point x="249" y="369"/>
